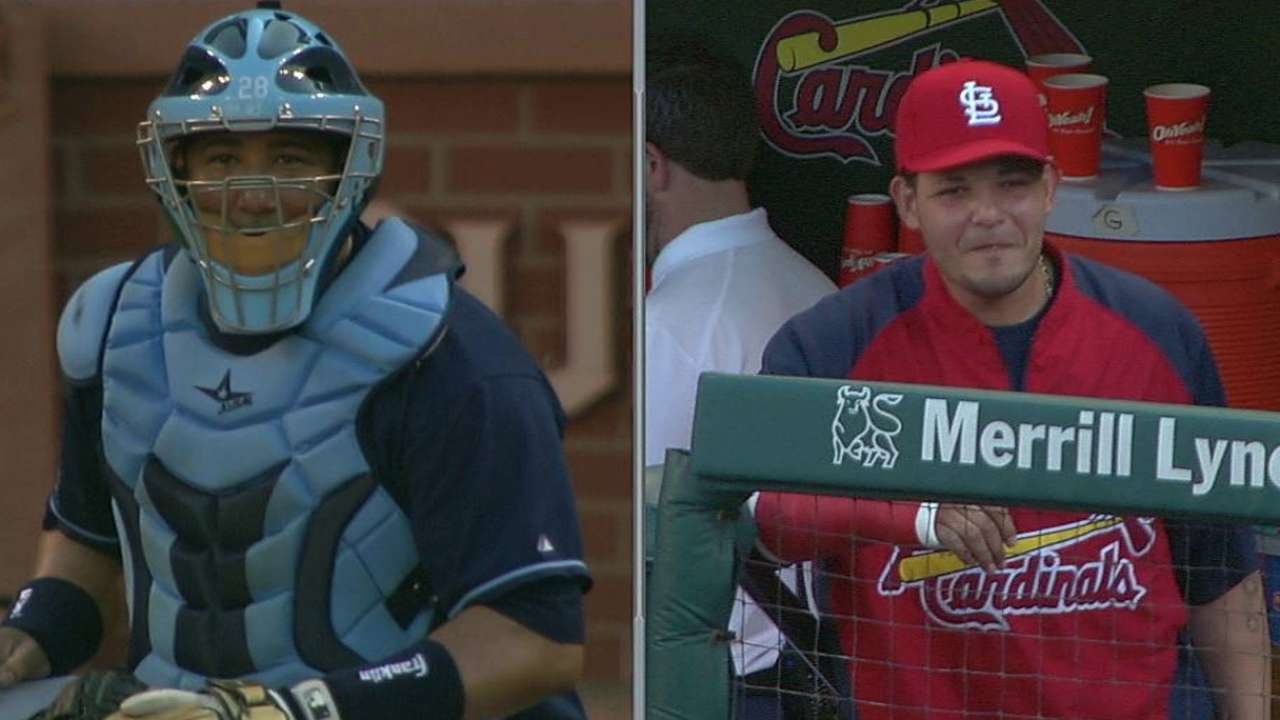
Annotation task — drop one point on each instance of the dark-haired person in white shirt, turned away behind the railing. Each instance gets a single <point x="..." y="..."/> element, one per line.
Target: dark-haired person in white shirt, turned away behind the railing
<point x="723" y="282"/>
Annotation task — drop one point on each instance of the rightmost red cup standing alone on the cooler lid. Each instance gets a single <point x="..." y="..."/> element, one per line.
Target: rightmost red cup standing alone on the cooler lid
<point x="1177" y="113"/>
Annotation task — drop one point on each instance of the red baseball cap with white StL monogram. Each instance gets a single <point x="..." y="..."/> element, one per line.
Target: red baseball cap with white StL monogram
<point x="966" y="112"/>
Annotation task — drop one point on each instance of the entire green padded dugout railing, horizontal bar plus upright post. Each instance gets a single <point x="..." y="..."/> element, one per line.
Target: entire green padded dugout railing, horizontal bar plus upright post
<point x="899" y="441"/>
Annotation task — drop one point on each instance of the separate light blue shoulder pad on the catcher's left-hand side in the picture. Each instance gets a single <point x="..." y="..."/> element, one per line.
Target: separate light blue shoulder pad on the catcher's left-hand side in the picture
<point x="83" y="329"/>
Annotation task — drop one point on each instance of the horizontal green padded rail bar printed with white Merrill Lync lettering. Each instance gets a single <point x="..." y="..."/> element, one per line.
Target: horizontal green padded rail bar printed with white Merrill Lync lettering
<point x="780" y="434"/>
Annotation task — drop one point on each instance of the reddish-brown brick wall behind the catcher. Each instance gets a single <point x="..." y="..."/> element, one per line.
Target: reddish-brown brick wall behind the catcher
<point x="532" y="152"/>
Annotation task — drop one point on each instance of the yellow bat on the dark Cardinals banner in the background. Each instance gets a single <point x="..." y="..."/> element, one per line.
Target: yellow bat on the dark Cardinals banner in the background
<point x="861" y="35"/>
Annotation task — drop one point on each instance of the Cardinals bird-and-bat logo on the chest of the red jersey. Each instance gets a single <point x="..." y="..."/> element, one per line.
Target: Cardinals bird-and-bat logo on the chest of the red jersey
<point x="1039" y="578"/>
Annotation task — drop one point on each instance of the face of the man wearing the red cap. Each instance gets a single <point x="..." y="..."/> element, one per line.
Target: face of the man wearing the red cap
<point x="984" y="225"/>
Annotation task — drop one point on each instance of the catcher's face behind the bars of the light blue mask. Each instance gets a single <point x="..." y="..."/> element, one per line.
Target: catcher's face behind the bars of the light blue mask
<point x="253" y="224"/>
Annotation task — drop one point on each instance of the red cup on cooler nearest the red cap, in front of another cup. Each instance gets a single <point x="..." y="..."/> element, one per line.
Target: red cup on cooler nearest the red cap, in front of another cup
<point x="1077" y="112"/>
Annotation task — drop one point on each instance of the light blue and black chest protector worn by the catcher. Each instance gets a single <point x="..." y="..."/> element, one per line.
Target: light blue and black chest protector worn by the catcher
<point x="255" y="541"/>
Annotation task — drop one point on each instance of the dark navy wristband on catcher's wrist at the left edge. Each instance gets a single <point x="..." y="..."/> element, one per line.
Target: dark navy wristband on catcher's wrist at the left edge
<point x="62" y="618"/>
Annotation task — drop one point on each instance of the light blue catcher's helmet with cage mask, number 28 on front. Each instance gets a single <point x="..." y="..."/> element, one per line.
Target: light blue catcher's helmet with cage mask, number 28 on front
<point x="264" y="70"/>
